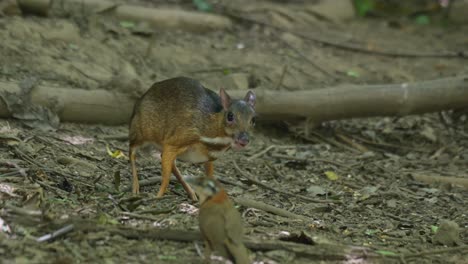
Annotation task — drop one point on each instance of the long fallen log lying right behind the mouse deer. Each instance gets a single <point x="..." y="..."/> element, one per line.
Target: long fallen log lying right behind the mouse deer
<point x="341" y="102"/>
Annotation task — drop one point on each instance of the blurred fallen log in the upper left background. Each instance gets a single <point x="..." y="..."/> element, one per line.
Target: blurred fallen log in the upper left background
<point x="158" y="18"/>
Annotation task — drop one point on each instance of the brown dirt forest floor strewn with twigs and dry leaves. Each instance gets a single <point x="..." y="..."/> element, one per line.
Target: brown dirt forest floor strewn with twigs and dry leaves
<point x="370" y="196"/>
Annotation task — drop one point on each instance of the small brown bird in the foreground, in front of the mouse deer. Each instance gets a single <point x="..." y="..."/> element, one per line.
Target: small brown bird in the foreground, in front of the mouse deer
<point x="220" y="222"/>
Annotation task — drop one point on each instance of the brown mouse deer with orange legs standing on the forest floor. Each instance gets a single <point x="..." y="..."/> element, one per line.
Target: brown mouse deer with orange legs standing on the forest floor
<point x="188" y="122"/>
